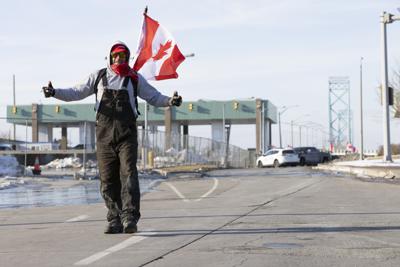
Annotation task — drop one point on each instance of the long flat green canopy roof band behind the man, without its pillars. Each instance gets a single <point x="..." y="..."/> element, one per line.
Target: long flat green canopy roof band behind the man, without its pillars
<point x="199" y="112"/>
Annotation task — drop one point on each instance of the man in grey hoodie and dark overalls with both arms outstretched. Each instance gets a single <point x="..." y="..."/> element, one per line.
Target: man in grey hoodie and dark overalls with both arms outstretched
<point x="117" y="87"/>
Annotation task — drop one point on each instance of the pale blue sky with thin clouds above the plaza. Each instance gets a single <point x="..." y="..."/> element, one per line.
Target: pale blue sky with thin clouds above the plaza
<point x="284" y="51"/>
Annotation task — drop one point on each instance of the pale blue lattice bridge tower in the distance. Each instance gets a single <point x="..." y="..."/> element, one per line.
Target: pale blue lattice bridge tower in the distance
<point x="340" y="118"/>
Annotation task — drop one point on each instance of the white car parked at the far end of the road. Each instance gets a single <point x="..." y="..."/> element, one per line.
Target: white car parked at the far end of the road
<point x="278" y="157"/>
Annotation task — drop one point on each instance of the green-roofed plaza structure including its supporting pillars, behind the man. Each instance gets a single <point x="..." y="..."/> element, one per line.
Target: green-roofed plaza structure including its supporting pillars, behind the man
<point x="177" y="120"/>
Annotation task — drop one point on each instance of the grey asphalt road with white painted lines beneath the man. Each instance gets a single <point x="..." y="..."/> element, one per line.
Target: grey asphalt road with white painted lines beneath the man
<point x="259" y="217"/>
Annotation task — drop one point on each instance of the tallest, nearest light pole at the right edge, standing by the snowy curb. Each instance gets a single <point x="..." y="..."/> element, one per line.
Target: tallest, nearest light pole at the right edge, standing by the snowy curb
<point x="386" y="18"/>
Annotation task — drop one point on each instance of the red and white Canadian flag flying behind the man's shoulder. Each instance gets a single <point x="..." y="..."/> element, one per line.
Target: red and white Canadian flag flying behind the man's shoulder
<point x="158" y="56"/>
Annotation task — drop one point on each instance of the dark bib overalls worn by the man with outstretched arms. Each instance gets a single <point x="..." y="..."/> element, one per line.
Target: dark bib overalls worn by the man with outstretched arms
<point x="116" y="135"/>
